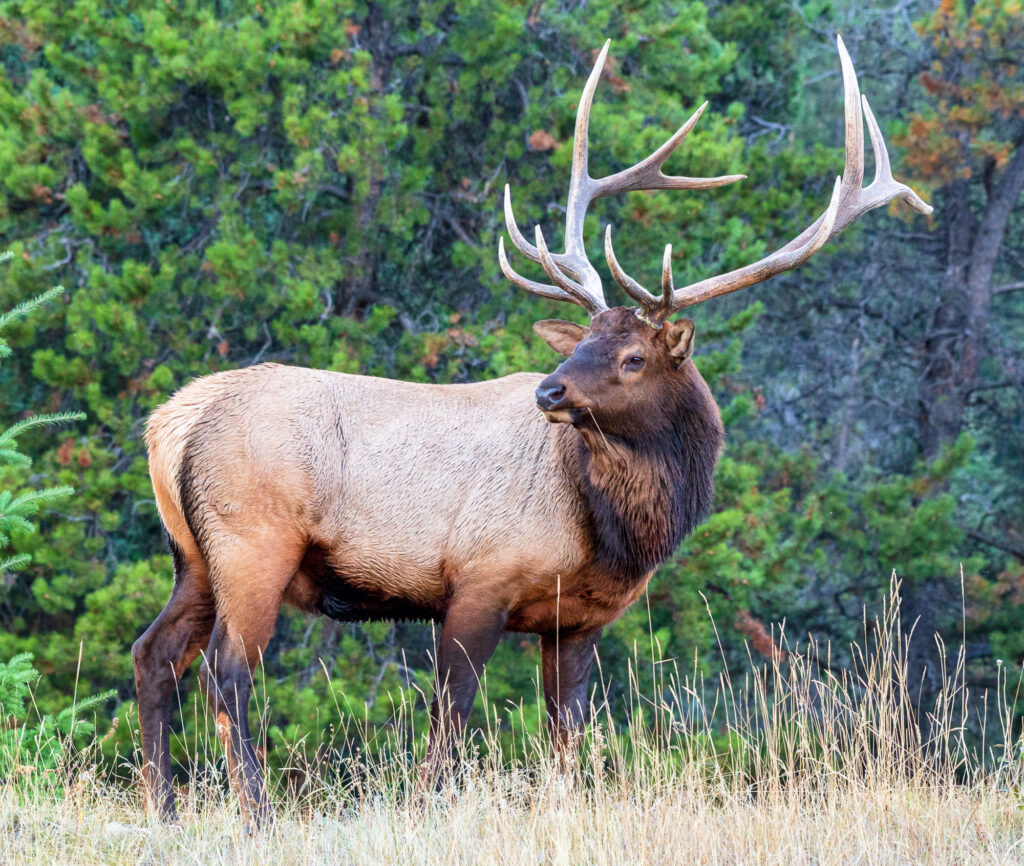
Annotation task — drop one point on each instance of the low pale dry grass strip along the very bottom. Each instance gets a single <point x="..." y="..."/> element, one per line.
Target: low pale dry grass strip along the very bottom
<point x="507" y="819"/>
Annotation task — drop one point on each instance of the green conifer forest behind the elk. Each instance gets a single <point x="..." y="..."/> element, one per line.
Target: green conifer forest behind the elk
<point x="221" y="184"/>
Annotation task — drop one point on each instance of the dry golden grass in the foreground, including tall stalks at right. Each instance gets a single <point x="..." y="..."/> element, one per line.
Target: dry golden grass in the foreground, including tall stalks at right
<point x="795" y="765"/>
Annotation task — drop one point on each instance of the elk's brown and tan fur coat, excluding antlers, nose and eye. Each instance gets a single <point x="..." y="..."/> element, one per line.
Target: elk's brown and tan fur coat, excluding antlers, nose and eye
<point x="367" y="499"/>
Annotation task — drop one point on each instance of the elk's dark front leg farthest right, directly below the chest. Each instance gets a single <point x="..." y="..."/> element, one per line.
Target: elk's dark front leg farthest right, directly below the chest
<point x="566" y="664"/>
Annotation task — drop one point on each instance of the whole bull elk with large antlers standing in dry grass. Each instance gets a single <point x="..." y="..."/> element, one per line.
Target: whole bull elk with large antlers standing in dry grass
<point x="532" y="504"/>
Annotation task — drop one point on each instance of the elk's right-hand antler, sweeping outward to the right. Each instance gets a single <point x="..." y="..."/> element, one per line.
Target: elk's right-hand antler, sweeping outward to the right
<point x="849" y="201"/>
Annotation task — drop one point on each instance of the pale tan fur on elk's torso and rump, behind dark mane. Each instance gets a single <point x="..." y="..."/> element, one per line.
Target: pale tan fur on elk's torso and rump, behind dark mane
<point x="408" y="492"/>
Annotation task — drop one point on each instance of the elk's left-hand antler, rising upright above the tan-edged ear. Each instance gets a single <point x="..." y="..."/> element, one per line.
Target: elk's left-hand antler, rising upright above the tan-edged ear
<point x="575" y="279"/>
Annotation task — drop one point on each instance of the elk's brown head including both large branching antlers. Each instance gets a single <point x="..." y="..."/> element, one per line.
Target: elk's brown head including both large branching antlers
<point x="619" y="367"/>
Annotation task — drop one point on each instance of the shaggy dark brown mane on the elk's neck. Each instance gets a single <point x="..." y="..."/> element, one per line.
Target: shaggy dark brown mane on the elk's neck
<point x="646" y="494"/>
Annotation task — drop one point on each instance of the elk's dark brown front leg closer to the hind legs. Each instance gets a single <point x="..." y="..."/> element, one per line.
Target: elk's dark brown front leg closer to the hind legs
<point x="468" y="639"/>
